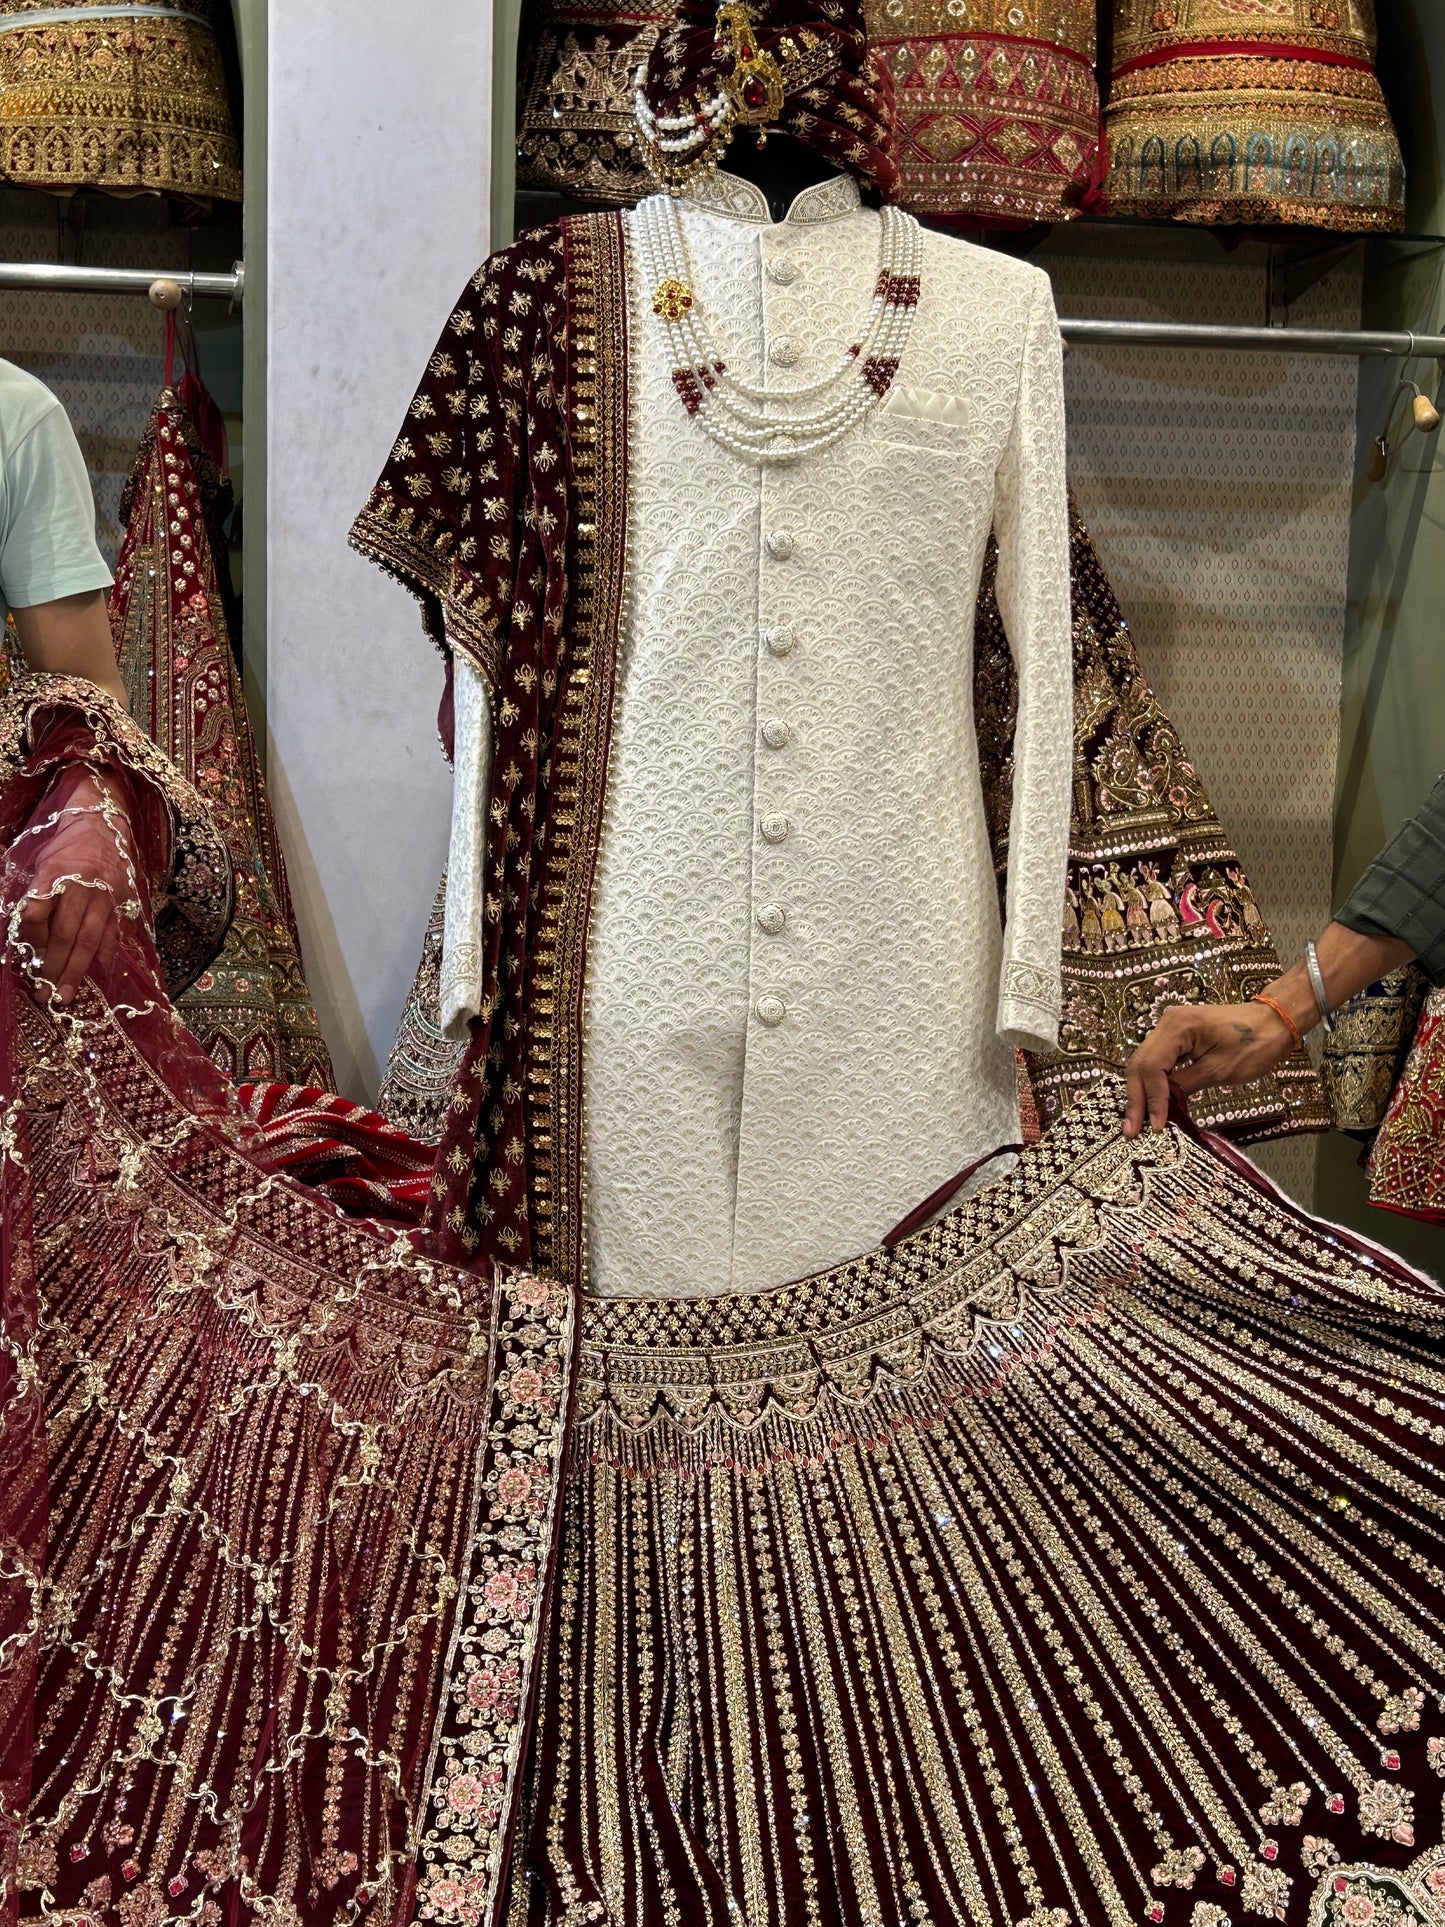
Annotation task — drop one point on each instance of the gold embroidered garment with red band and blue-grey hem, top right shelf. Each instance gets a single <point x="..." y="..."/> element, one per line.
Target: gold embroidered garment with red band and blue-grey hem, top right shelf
<point x="1251" y="111"/>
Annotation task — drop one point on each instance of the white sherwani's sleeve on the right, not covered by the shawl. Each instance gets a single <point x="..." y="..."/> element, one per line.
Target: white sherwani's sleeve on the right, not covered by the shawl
<point x="1032" y="523"/>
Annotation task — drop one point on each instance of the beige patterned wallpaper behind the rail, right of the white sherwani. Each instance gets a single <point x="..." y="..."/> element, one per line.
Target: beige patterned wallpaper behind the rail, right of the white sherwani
<point x="1219" y="490"/>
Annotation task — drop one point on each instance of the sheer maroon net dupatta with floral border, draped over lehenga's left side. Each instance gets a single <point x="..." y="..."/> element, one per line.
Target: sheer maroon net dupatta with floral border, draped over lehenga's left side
<point x="276" y="1491"/>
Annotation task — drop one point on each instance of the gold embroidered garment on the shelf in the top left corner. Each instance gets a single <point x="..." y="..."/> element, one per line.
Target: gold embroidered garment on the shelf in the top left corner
<point x="132" y="99"/>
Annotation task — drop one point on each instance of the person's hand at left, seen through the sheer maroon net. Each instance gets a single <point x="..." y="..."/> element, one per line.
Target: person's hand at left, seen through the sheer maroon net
<point x="82" y="887"/>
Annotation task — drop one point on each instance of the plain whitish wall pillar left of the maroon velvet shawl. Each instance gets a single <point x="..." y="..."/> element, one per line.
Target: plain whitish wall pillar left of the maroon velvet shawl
<point x="379" y="161"/>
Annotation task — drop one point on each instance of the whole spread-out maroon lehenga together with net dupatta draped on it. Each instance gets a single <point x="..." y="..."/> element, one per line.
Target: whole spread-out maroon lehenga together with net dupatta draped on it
<point x="1074" y="1560"/>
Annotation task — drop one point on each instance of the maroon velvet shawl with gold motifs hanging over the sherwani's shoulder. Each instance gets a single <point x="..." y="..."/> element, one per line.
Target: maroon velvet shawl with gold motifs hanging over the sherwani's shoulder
<point x="504" y="512"/>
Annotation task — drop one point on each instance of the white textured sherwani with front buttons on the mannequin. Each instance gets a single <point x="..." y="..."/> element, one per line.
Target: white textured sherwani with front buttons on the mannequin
<point x="802" y="1009"/>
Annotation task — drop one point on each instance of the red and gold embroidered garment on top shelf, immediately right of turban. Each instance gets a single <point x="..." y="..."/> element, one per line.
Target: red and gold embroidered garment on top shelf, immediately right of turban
<point x="995" y="105"/>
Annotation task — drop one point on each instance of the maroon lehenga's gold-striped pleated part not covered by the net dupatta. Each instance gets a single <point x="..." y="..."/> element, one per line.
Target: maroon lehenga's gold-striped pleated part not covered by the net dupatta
<point x="1080" y="1562"/>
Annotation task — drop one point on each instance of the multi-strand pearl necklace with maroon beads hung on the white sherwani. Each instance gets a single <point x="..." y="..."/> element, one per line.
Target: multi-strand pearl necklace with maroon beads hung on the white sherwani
<point x="775" y="425"/>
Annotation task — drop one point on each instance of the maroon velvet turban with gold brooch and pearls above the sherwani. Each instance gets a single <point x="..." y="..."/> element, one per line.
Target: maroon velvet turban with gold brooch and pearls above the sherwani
<point x="839" y="103"/>
